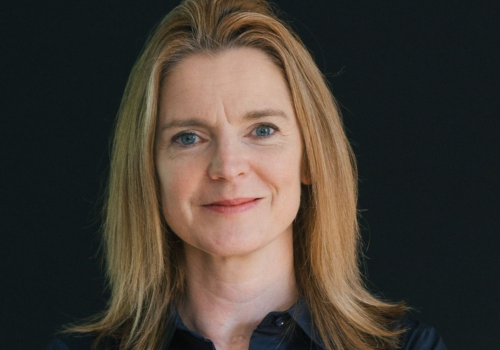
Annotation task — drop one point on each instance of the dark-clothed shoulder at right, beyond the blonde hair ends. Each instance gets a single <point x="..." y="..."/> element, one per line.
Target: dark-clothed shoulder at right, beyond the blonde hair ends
<point x="419" y="336"/>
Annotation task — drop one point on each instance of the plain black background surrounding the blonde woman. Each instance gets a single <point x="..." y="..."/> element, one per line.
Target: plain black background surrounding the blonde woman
<point x="418" y="82"/>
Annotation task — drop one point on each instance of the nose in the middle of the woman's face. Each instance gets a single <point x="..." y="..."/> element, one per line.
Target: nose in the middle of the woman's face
<point x="228" y="162"/>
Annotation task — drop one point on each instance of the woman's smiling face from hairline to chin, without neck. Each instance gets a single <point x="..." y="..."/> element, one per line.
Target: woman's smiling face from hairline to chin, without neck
<point x="228" y="153"/>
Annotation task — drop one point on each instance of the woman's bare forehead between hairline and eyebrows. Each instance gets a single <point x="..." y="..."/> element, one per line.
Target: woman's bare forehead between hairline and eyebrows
<point x="234" y="80"/>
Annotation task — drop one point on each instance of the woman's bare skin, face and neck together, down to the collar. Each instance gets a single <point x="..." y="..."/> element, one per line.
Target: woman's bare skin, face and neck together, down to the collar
<point x="228" y="157"/>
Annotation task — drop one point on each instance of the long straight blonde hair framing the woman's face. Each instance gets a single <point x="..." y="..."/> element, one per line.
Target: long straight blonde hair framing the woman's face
<point x="144" y="258"/>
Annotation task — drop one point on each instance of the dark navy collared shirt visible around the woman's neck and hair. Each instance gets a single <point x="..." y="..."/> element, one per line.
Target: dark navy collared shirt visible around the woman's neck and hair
<point x="287" y="330"/>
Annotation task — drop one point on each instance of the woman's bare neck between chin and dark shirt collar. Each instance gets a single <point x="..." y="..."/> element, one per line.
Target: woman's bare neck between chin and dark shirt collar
<point x="227" y="297"/>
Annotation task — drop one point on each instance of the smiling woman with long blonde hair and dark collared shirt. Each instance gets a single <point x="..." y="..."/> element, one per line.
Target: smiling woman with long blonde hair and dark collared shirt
<point x="231" y="209"/>
